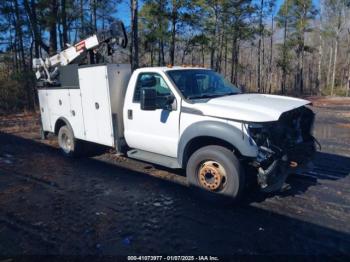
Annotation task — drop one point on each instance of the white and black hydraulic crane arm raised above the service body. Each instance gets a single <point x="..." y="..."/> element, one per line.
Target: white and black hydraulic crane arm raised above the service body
<point x="47" y="70"/>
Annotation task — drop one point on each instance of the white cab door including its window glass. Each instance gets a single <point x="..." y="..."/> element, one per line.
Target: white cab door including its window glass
<point x="154" y="131"/>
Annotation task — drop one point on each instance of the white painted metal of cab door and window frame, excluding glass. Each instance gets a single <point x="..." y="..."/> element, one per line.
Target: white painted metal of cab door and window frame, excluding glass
<point x="154" y="131"/>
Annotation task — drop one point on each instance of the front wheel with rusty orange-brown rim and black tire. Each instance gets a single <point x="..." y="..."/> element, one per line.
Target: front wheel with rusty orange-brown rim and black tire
<point x="216" y="170"/>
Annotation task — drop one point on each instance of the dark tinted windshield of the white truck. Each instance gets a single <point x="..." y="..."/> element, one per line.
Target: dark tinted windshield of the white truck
<point x="201" y="83"/>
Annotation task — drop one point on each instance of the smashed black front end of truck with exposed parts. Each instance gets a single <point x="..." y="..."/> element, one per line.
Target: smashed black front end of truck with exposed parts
<point x="282" y="146"/>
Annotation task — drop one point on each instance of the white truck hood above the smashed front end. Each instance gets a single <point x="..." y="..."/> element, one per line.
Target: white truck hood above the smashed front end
<point x="247" y="107"/>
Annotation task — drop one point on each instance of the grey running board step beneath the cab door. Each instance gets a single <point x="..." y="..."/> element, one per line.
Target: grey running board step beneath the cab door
<point x="161" y="160"/>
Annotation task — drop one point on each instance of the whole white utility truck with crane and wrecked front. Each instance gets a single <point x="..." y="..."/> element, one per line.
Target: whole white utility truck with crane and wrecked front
<point x="177" y="117"/>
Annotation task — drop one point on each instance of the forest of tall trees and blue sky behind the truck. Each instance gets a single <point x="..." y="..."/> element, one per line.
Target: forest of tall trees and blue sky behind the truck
<point x="292" y="47"/>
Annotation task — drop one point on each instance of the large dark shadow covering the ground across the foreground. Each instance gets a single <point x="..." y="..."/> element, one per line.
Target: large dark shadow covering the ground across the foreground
<point x="105" y="209"/>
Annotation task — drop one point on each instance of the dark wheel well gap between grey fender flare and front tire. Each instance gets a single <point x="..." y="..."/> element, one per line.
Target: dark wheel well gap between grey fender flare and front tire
<point x="202" y="141"/>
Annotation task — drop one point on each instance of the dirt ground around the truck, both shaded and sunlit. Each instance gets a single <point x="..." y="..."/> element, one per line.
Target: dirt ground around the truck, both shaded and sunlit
<point x="109" y="205"/>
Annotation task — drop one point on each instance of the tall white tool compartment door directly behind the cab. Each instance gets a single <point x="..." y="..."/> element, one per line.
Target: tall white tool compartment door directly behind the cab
<point x="96" y="105"/>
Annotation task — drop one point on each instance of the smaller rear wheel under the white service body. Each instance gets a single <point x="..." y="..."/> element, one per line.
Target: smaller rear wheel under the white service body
<point x="67" y="142"/>
